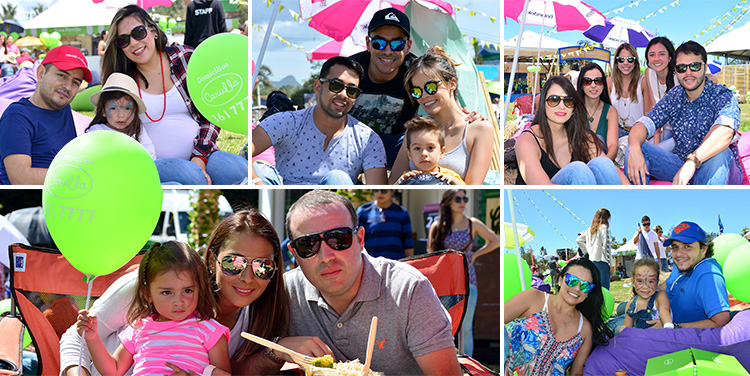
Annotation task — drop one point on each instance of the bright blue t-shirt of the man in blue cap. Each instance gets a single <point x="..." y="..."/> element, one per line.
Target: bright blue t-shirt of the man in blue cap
<point x="699" y="294"/>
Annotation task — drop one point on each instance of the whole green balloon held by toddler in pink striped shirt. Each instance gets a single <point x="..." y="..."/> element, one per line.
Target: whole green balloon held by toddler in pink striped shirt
<point x="102" y="198"/>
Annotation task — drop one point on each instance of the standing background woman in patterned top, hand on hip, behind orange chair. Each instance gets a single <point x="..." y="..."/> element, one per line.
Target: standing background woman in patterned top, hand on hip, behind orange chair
<point x="454" y="230"/>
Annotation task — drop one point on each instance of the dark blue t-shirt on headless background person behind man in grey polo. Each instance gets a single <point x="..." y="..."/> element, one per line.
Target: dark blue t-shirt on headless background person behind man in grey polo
<point x="387" y="231"/>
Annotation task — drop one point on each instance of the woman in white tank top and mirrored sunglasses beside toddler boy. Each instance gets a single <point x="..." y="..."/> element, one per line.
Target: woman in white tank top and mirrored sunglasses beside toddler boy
<point x="468" y="145"/>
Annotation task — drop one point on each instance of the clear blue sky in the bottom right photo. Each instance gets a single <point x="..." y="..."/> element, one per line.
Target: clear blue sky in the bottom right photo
<point x="665" y="207"/>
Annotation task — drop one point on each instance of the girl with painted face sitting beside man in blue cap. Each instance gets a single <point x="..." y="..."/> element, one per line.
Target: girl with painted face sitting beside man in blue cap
<point x="648" y="303"/>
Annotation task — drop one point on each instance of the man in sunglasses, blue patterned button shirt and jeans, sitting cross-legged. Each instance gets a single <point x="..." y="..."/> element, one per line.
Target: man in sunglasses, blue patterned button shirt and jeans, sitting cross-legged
<point x="705" y="118"/>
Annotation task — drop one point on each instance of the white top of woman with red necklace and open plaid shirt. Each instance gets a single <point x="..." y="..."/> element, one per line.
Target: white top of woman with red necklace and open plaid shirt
<point x="174" y="135"/>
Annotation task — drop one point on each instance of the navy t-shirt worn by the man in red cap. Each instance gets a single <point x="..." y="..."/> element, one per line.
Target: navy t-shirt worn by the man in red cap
<point x="33" y="131"/>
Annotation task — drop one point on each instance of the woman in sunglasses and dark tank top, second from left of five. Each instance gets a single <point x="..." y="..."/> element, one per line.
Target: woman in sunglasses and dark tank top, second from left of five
<point x="601" y="117"/>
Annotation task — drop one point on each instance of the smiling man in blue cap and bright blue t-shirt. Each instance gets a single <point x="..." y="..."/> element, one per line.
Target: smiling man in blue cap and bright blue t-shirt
<point x="695" y="288"/>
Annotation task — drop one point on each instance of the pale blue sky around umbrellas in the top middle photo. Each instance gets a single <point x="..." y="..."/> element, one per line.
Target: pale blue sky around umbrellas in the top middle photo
<point x="284" y="60"/>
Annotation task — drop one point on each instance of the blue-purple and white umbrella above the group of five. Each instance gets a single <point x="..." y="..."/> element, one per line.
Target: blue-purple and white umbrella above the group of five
<point x="617" y="31"/>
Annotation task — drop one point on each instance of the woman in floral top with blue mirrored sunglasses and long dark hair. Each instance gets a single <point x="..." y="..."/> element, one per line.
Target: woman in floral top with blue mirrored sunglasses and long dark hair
<point x="554" y="334"/>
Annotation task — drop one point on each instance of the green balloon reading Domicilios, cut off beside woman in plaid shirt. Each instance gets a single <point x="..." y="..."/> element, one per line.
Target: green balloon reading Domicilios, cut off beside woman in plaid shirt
<point x="219" y="87"/>
